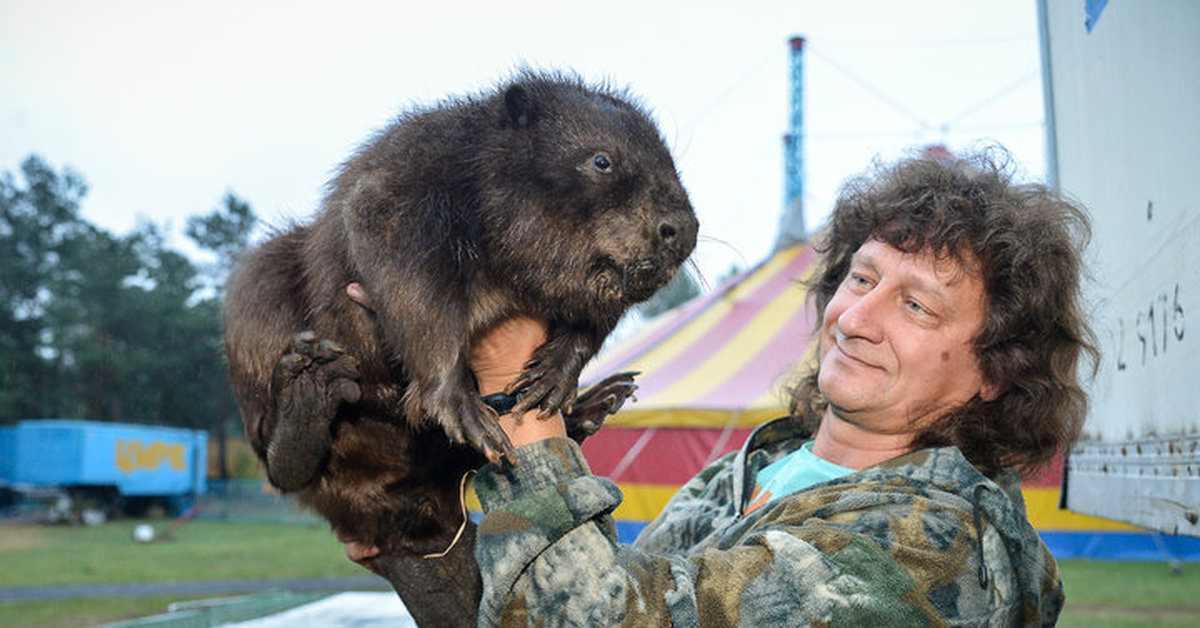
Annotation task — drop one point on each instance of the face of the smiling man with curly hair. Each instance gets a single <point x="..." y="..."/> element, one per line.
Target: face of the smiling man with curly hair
<point x="897" y="340"/>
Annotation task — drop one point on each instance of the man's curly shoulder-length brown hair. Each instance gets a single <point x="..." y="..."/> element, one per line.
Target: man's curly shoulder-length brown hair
<point x="1025" y="242"/>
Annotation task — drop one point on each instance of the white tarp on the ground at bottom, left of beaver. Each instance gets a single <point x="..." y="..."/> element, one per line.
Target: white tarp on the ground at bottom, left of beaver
<point x="344" y="611"/>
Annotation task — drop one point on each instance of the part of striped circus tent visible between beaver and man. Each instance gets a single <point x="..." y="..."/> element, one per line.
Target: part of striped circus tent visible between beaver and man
<point x="711" y="372"/>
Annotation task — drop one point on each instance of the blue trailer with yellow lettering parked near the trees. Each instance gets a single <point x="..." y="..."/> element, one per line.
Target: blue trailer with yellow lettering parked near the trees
<point x="91" y="470"/>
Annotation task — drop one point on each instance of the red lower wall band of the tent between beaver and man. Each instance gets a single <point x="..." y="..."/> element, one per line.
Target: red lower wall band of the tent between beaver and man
<point x="670" y="457"/>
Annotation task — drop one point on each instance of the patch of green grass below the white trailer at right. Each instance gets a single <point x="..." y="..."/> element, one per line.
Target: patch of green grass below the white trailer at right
<point x="1120" y="595"/>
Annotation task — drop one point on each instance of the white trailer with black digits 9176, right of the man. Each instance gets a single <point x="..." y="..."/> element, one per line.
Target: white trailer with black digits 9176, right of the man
<point x="1123" y="91"/>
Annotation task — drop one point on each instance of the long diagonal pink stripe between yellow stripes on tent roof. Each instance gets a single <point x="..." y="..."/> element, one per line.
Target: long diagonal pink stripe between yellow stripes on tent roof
<point x="742" y="313"/>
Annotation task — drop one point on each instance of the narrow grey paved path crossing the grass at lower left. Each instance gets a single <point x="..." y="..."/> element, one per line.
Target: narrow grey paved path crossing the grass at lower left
<point x="199" y="588"/>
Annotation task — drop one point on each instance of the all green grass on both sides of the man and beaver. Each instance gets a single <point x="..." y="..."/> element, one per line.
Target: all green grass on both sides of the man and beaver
<point x="1100" y="595"/>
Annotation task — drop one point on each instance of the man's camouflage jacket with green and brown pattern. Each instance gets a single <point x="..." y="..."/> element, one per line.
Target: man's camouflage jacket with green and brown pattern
<point x="896" y="545"/>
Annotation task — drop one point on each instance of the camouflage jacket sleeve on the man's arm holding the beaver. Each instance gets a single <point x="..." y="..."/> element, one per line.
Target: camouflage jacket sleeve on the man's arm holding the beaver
<point x="549" y="555"/>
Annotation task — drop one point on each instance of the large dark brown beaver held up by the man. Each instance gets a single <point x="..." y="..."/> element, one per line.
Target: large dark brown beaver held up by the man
<point x="545" y="196"/>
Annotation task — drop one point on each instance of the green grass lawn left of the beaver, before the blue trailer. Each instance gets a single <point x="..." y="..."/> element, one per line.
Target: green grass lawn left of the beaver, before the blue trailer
<point x="201" y="551"/>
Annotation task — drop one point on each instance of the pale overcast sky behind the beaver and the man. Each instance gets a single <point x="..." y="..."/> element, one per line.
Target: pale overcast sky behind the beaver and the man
<point x="164" y="106"/>
